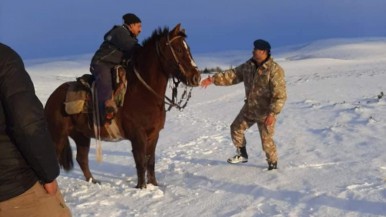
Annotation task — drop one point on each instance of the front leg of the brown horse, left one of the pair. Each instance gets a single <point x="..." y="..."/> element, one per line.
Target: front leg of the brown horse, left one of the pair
<point x="139" y="147"/>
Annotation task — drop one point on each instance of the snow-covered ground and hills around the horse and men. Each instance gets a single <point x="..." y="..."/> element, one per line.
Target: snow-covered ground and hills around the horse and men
<point x="330" y="137"/>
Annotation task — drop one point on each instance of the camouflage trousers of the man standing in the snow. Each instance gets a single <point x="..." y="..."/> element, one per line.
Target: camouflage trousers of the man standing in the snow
<point x="241" y="124"/>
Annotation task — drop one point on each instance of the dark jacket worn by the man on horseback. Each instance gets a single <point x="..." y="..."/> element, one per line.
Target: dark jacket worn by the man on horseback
<point x="118" y="43"/>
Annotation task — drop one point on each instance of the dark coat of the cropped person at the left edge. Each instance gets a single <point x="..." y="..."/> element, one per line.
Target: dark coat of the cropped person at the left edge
<point x="27" y="153"/>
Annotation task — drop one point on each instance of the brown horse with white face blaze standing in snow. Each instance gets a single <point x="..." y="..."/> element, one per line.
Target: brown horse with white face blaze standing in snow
<point x="164" y="55"/>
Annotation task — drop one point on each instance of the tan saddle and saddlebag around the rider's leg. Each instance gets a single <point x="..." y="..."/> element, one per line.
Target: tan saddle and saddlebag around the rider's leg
<point x="79" y="94"/>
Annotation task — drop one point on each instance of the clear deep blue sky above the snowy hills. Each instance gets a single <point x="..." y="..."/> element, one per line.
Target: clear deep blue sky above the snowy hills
<point x="51" y="28"/>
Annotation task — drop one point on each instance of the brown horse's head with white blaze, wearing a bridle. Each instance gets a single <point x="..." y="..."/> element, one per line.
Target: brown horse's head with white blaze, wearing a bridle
<point x="179" y="60"/>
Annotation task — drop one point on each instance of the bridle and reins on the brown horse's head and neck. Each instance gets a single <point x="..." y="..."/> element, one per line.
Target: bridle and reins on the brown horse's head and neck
<point x="186" y="95"/>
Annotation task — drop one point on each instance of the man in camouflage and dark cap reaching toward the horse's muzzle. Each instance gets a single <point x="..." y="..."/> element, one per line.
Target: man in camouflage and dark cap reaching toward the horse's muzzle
<point x="265" y="95"/>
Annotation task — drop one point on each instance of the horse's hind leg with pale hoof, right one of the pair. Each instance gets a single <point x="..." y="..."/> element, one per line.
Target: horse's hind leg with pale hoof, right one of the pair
<point x="83" y="148"/>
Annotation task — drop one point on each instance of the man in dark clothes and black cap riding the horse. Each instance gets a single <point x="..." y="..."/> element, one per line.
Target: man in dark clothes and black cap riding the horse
<point x="118" y="44"/>
